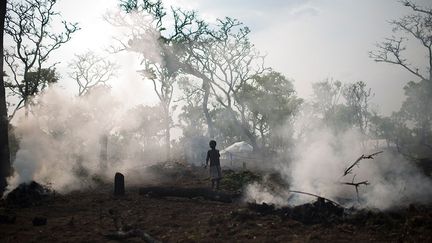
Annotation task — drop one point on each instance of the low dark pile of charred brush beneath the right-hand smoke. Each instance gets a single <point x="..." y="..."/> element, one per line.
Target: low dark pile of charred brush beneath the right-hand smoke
<point x="321" y="211"/>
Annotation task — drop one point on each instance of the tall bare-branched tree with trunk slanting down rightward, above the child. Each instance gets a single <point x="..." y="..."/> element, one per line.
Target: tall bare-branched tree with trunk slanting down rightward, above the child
<point x="229" y="60"/>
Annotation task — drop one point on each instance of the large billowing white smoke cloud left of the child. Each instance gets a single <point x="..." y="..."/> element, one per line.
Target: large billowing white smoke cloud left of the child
<point x="62" y="138"/>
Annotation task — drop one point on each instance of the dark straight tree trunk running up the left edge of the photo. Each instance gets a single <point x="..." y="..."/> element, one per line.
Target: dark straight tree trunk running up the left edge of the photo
<point x="4" y="132"/>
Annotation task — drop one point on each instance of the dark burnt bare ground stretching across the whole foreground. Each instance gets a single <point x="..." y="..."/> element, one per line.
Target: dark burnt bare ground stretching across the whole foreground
<point x="91" y="215"/>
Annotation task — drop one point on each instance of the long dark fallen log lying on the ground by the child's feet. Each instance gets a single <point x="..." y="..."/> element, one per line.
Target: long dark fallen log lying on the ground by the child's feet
<point x="204" y="193"/>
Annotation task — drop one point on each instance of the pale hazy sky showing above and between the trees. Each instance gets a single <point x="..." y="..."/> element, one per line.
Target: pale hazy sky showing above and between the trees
<point x="308" y="41"/>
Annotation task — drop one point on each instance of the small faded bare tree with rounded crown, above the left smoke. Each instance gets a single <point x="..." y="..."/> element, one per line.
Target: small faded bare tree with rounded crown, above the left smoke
<point x="90" y="70"/>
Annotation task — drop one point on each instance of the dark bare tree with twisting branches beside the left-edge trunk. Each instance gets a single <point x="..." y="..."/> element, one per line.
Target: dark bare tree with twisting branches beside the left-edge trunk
<point x="30" y="25"/>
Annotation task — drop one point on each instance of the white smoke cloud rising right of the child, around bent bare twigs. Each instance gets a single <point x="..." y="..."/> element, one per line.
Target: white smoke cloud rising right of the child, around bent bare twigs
<point x="317" y="166"/>
